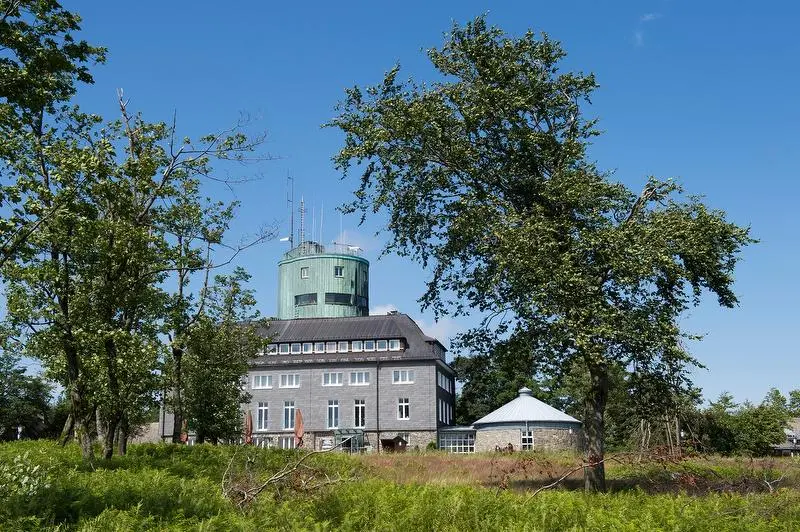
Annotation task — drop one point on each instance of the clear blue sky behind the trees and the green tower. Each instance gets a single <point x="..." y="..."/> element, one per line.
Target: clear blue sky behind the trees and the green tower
<point x="705" y="92"/>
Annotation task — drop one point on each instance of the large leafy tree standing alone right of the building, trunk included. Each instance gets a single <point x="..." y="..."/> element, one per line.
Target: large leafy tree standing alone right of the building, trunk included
<point x="485" y="179"/>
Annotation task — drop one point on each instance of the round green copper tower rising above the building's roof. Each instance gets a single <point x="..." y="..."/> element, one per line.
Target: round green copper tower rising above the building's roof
<point x="315" y="281"/>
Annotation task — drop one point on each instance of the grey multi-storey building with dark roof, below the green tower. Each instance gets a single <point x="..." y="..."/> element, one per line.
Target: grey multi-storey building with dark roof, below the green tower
<point x="370" y="379"/>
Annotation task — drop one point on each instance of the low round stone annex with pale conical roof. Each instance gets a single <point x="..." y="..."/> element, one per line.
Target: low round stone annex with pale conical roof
<point x="528" y="424"/>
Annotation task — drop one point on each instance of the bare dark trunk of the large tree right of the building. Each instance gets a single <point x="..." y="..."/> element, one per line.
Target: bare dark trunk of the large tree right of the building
<point x="594" y="425"/>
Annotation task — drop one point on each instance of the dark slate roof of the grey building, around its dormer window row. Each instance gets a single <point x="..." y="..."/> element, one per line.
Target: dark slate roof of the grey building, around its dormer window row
<point x="418" y="346"/>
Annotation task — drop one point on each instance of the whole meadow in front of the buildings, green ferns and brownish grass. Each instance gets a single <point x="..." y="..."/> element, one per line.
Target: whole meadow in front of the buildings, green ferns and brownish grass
<point x="165" y="487"/>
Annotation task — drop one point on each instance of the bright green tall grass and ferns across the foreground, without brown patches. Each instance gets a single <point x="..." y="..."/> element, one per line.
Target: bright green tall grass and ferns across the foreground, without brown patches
<point x="165" y="487"/>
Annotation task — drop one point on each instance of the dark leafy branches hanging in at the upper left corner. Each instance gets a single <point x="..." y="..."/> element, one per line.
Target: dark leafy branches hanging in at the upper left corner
<point x="41" y="63"/>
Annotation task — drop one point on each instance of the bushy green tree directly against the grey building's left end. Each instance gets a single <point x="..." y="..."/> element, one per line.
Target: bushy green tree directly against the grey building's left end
<point x="219" y="347"/>
